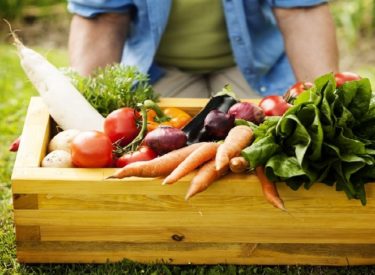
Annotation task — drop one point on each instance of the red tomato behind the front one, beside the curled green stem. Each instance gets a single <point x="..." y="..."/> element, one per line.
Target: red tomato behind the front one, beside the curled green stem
<point x="121" y="125"/>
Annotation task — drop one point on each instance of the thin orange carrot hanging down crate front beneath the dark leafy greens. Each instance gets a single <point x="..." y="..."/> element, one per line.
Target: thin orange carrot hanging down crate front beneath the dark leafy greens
<point x="269" y="189"/>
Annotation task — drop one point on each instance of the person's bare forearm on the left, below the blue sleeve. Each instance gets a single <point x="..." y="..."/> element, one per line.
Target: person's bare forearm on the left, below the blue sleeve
<point x="97" y="42"/>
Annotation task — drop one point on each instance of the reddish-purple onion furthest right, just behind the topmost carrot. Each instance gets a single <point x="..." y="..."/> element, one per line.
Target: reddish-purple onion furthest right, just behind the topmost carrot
<point x="247" y="111"/>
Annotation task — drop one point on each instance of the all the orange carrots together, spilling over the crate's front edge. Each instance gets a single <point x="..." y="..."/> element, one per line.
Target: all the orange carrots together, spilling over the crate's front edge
<point x="213" y="160"/>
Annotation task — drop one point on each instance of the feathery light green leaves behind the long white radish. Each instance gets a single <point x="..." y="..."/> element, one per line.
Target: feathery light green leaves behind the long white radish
<point x="113" y="87"/>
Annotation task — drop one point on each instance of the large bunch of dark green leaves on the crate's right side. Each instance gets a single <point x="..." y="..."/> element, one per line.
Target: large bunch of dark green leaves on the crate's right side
<point x="326" y="136"/>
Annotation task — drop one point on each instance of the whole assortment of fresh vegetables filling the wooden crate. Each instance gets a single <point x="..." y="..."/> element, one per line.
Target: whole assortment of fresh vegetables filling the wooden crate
<point x="317" y="132"/>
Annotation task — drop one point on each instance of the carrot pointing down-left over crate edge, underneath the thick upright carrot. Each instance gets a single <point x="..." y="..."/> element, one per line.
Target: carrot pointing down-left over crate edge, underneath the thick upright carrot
<point x="206" y="175"/>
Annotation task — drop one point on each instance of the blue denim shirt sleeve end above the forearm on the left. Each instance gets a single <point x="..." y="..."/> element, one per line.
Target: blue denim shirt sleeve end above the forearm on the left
<point x="90" y="8"/>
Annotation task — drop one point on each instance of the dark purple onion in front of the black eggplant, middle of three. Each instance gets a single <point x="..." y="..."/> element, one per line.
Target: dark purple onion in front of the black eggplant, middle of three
<point x="217" y="124"/>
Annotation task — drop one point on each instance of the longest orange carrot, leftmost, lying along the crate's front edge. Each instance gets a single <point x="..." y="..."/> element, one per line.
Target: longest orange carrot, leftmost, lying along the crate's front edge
<point x="157" y="167"/>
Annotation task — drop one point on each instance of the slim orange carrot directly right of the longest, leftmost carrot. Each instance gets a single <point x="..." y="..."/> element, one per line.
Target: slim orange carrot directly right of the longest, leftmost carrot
<point x="194" y="160"/>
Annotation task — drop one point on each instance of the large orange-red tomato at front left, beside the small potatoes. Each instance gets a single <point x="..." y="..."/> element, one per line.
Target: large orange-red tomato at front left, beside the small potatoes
<point x="91" y="149"/>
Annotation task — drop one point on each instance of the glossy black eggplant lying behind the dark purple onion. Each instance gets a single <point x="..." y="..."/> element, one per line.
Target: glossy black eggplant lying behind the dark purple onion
<point x="195" y="130"/>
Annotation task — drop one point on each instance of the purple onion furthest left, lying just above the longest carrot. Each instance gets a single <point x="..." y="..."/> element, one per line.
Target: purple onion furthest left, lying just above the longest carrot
<point x="165" y="139"/>
